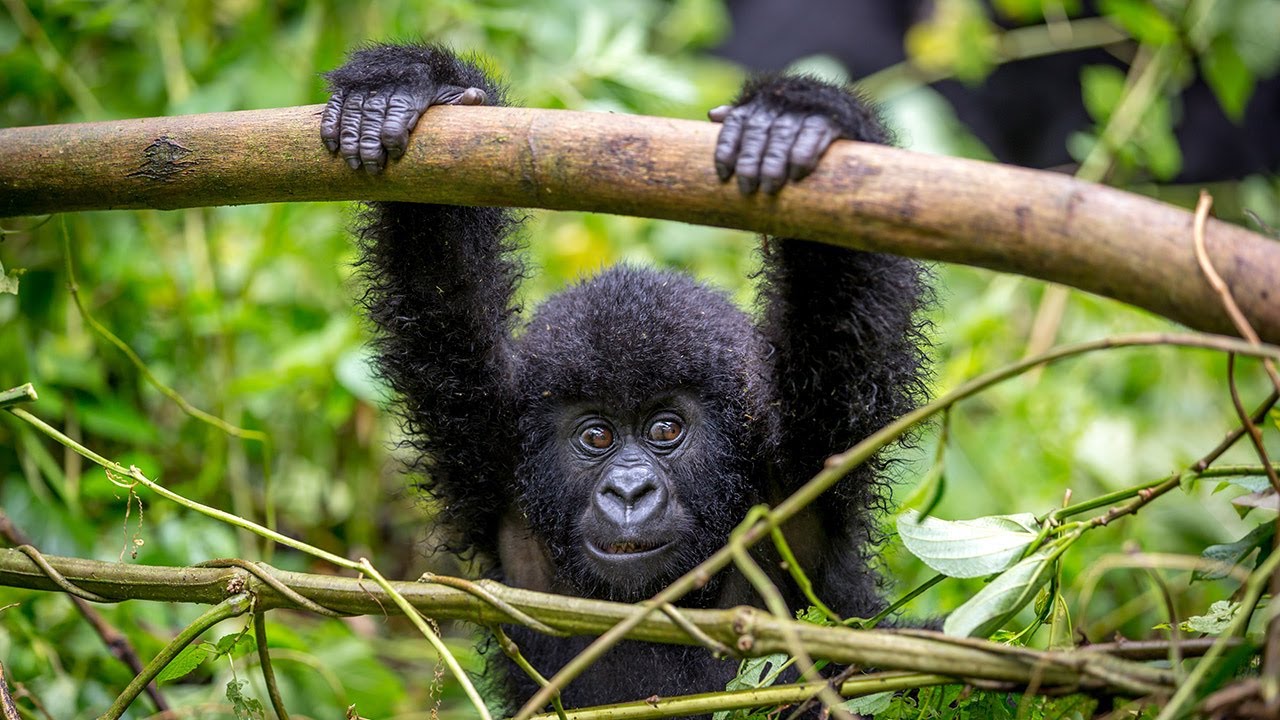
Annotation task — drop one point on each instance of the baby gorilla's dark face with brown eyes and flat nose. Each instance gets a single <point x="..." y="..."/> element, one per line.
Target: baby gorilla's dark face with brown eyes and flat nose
<point x="633" y="498"/>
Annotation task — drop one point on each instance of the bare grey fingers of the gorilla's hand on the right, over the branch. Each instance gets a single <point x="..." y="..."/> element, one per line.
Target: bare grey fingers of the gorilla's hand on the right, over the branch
<point x="766" y="145"/>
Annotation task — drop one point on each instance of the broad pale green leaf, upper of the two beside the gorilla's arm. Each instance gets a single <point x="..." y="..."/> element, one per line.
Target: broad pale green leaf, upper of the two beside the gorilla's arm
<point x="968" y="549"/>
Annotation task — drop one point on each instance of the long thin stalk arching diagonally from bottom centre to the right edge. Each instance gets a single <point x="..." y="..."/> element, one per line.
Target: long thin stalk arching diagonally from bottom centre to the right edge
<point x="839" y="466"/>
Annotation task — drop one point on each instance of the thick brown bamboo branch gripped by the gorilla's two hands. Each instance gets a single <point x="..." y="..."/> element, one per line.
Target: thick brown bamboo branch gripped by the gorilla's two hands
<point x="1035" y="224"/>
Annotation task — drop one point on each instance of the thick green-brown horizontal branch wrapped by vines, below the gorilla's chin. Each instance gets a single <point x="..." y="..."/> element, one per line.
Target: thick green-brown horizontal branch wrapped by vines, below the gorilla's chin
<point x="751" y="631"/>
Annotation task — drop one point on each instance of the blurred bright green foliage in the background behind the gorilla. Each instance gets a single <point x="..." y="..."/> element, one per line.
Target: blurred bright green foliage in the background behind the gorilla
<point x="249" y="313"/>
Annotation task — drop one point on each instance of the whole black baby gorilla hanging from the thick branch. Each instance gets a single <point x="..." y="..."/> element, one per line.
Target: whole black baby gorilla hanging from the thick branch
<point x="612" y="443"/>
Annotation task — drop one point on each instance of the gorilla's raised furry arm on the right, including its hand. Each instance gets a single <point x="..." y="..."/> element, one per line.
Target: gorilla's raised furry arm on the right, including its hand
<point x="848" y="341"/>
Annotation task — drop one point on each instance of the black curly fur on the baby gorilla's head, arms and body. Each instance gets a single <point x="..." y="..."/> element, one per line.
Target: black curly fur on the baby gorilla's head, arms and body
<point x="836" y="354"/>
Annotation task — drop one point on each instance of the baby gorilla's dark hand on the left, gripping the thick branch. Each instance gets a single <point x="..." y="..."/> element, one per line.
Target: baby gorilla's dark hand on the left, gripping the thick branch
<point x="378" y="98"/>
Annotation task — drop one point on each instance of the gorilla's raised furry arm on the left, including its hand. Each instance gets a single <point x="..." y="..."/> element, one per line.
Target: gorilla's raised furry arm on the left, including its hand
<point x="440" y="282"/>
